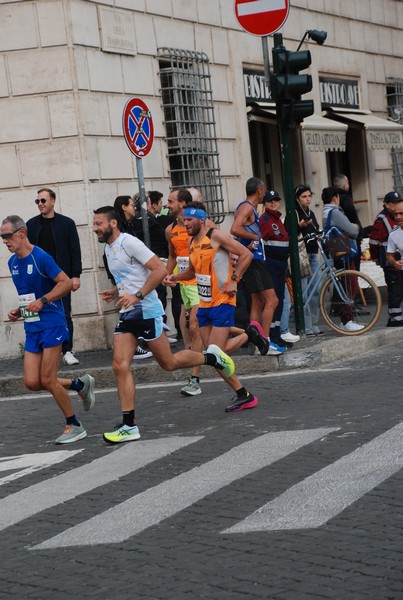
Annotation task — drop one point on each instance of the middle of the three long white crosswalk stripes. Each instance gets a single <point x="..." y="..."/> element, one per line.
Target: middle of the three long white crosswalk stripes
<point x="166" y="499"/>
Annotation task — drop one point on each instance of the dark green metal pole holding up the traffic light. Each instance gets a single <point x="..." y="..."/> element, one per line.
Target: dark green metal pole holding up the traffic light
<point x="286" y="160"/>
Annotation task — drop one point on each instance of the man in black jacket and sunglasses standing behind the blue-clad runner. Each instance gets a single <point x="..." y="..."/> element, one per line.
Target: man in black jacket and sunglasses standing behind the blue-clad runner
<point x="57" y="235"/>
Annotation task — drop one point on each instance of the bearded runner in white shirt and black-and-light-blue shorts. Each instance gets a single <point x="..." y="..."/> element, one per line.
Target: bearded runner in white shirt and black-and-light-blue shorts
<point x="137" y="272"/>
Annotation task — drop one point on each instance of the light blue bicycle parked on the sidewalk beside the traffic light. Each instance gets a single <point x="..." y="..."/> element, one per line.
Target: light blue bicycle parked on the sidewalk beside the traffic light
<point x="345" y="294"/>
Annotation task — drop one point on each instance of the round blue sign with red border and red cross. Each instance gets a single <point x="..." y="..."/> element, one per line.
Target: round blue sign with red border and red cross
<point x="138" y="127"/>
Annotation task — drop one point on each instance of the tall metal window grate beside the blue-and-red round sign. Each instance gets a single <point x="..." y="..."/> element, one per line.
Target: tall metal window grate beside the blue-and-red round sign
<point x="187" y="101"/>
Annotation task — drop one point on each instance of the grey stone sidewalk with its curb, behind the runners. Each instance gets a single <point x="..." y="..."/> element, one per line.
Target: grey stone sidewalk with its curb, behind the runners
<point x="307" y="353"/>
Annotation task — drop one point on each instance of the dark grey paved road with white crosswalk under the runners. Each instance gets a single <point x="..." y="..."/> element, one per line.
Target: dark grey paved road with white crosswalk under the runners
<point x="300" y="498"/>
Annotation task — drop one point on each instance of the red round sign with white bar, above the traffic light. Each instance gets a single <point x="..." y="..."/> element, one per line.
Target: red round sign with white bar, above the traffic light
<point x="261" y="17"/>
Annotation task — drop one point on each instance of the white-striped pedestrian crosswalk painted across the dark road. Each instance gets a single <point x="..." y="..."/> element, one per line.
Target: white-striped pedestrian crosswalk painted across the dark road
<point x="308" y="504"/>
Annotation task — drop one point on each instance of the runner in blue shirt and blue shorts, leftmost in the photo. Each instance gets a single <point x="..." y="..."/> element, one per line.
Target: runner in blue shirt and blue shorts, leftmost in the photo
<point x="41" y="284"/>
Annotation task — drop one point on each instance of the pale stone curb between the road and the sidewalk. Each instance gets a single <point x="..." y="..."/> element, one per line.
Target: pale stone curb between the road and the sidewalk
<point x="324" y="352"/>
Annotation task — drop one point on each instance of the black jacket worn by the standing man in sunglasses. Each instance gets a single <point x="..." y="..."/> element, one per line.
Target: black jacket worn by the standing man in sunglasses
<point x="67" y="243"/>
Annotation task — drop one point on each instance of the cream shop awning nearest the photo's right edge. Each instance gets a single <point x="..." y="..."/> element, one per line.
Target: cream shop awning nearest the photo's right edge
<point x="381" y="133"/>
